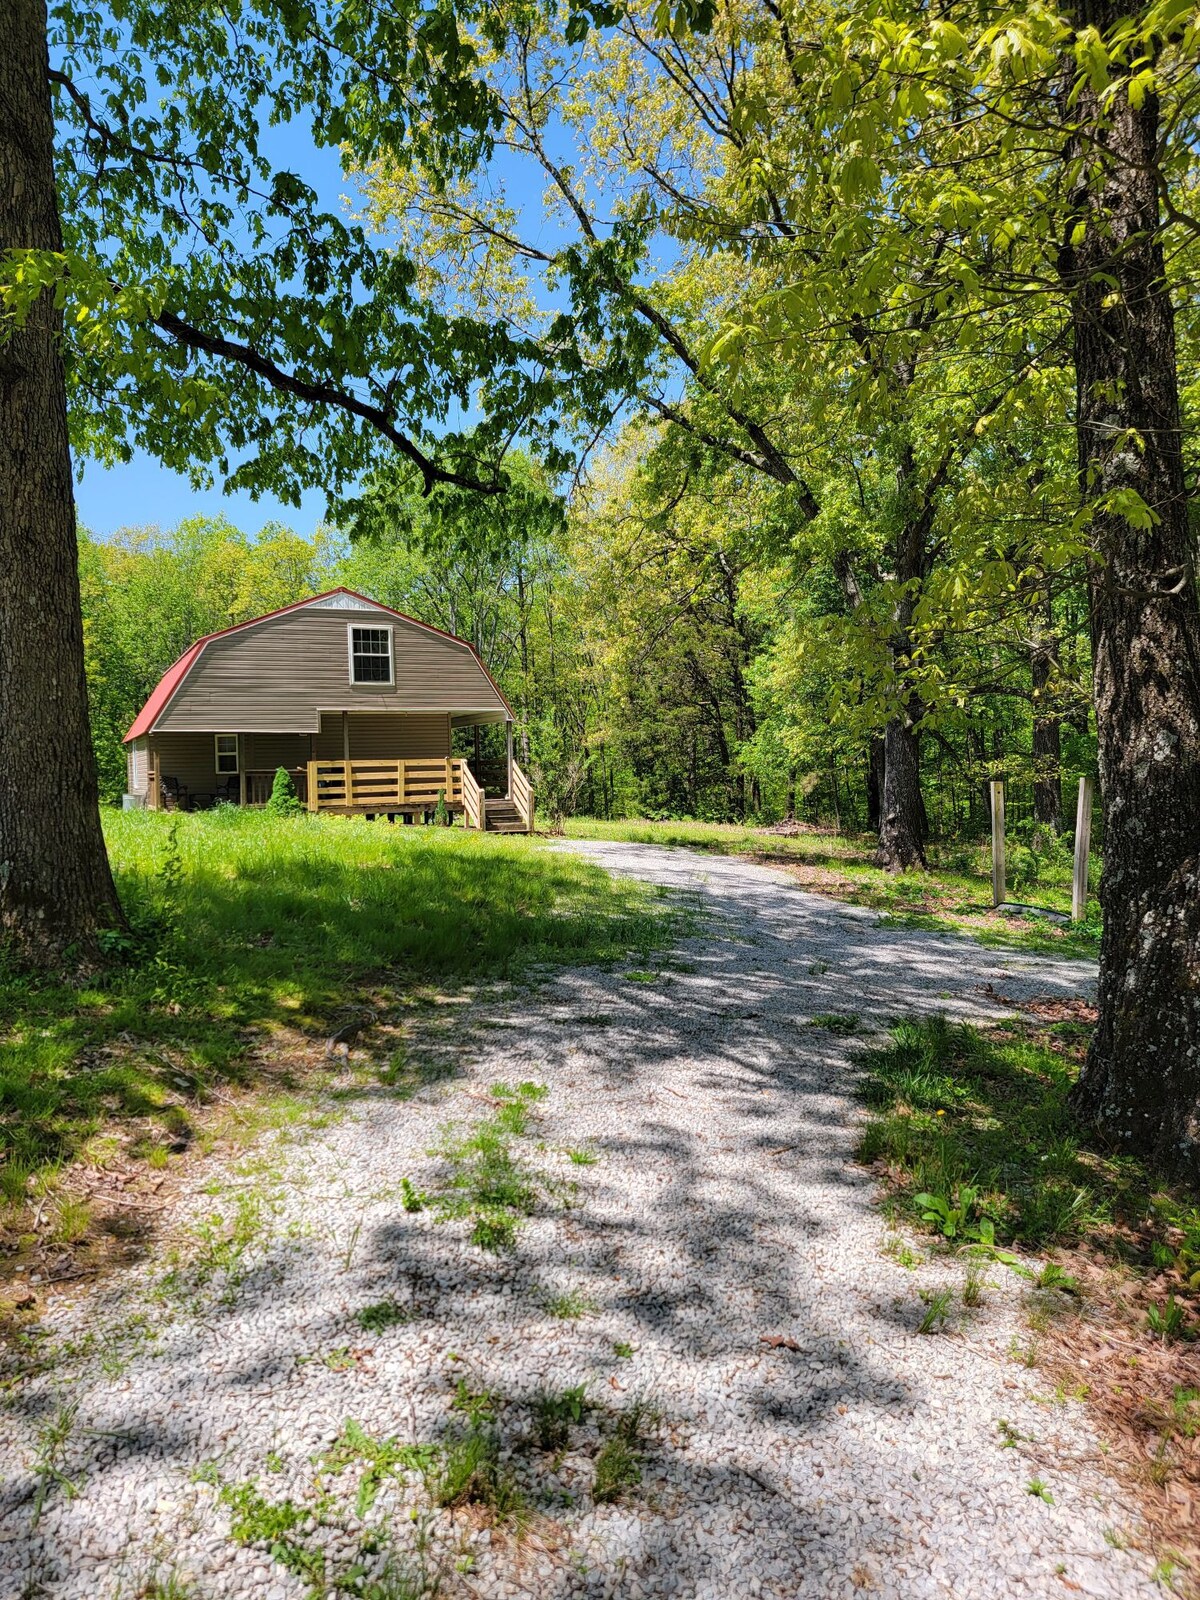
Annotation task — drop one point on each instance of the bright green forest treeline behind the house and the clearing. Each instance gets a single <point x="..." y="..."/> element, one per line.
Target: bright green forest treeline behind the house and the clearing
<point x="655" y="666"/>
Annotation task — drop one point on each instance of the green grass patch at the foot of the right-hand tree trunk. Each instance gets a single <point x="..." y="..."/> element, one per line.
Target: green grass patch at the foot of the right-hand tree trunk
<point x="980" y="1122"/>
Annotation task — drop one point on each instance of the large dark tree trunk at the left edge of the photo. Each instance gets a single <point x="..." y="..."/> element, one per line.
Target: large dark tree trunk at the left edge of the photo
<point x="55" y="884"/>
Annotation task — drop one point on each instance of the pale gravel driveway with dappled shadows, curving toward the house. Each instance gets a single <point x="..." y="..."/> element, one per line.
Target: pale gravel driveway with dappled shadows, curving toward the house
<point x="722" y="1212"/>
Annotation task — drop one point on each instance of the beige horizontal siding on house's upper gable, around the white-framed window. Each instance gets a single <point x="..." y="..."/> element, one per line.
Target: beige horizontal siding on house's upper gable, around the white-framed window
<point x="282" y="674"/>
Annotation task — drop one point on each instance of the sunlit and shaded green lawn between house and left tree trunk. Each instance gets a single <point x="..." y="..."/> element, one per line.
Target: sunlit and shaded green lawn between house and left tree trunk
<point x="255" y="938"/>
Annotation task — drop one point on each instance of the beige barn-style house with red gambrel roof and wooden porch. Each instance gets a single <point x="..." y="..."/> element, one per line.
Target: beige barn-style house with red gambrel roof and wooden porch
<point x="356" y="702"/>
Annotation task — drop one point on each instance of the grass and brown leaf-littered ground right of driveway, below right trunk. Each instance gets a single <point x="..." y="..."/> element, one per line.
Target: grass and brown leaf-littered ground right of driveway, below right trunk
<point x="972" y="1137"/>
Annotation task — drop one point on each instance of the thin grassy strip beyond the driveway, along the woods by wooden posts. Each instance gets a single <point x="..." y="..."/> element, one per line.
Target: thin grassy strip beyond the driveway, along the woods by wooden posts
<point x="956" y="894"/>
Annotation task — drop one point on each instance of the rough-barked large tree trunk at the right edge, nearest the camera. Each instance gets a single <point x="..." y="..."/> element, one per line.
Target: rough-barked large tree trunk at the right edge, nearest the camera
<point x="1142" y="1082"/>
